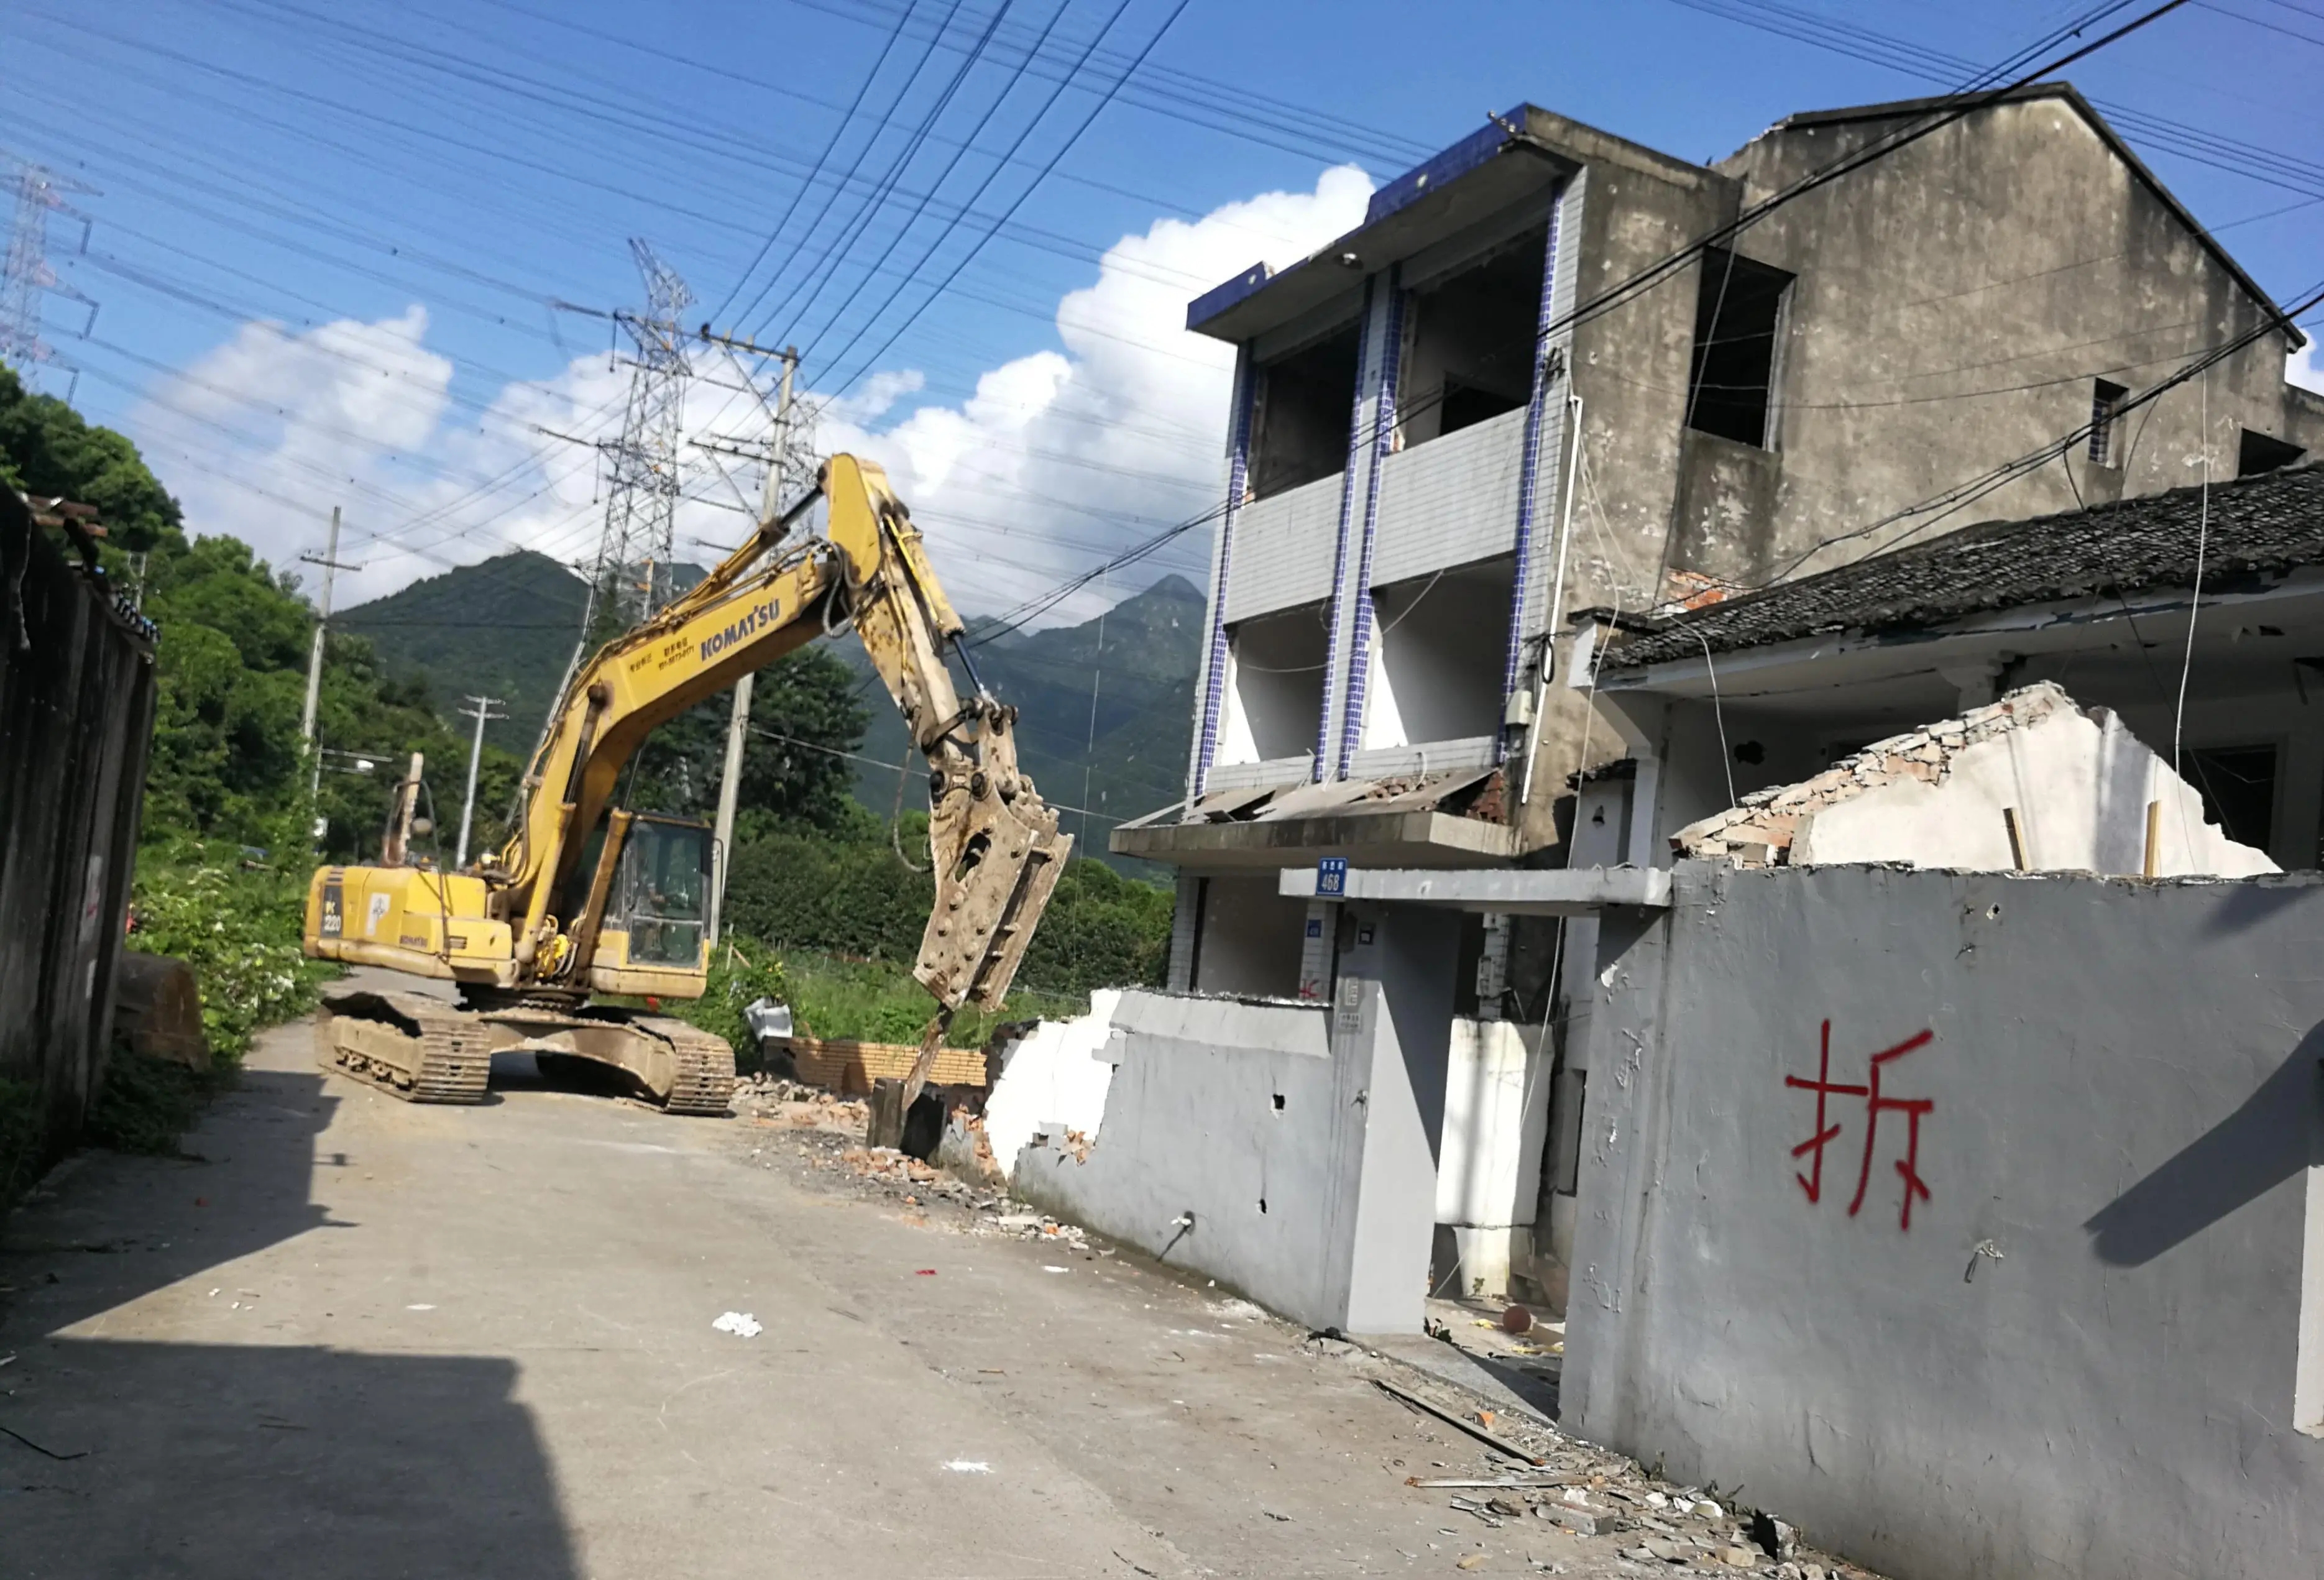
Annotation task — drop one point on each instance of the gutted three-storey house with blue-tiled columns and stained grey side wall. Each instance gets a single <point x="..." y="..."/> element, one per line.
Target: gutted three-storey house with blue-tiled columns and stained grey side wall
<point x="1435" y="459"/>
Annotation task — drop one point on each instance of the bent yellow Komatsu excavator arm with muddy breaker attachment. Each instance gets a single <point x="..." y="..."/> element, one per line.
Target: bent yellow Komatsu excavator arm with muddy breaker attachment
<point x="994" y="842"/>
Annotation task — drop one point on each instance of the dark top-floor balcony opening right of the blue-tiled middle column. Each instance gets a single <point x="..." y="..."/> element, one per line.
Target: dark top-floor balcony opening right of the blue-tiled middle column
<point x="1472" y="340"/>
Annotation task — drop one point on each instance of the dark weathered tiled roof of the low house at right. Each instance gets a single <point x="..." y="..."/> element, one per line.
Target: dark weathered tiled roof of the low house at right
<point x="2258" y="526"/>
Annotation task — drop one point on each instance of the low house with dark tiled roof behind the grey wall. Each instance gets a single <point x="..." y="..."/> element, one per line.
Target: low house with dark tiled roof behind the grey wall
<point x="2195" y="617"/>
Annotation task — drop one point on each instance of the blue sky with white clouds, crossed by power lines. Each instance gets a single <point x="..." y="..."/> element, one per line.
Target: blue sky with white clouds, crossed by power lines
<point x="329" y="238"/>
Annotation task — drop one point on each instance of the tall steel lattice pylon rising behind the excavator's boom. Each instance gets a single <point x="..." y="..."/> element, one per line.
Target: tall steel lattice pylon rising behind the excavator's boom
<point x="631" y="577"/>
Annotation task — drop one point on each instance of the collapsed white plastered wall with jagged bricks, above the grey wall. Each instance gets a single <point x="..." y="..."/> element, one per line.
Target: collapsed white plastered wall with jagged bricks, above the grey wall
<point x="2030" y="782"/>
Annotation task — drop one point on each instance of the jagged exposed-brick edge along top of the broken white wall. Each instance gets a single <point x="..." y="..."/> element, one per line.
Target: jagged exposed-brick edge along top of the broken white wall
<point x="1767" y="828"/>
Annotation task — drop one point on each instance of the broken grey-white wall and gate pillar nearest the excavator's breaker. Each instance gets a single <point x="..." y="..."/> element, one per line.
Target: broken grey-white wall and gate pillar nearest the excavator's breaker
<point x="1286" y="1151"/>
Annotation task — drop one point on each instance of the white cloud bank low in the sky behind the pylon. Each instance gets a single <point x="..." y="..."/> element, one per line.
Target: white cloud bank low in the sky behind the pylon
<point x="1054" y="464"/>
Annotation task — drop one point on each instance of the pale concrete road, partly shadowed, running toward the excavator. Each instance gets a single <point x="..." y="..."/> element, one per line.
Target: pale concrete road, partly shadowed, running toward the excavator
<point x="371" y="1340"/>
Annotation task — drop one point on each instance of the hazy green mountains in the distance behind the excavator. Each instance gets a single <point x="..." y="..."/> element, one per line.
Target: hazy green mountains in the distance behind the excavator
<point x="1103" y="708"/>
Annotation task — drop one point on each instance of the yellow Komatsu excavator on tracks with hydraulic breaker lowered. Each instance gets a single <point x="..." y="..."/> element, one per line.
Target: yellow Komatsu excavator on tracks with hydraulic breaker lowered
<point x="589" y="898"/>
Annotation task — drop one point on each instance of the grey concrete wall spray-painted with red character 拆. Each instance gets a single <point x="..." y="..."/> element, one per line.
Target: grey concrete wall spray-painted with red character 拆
<point x="2074" y="1349"/>
